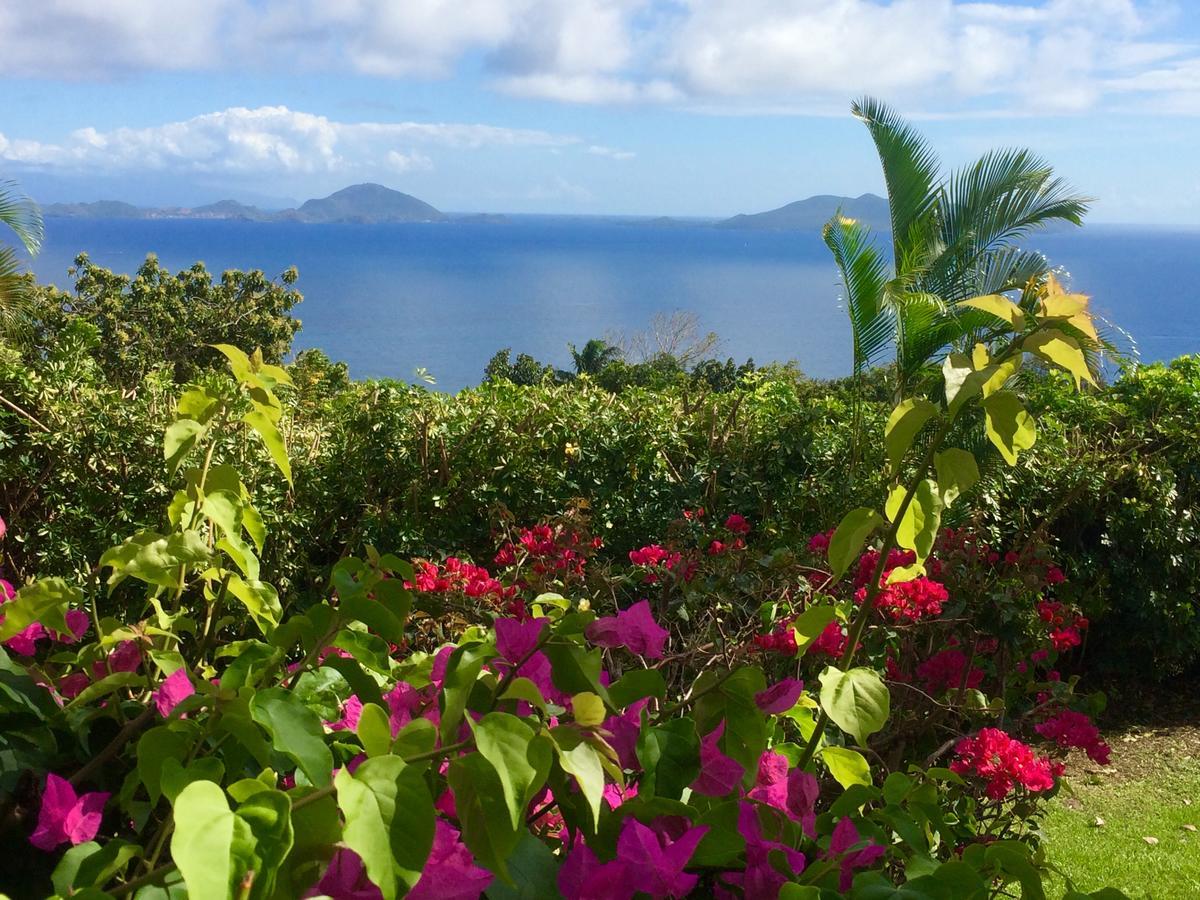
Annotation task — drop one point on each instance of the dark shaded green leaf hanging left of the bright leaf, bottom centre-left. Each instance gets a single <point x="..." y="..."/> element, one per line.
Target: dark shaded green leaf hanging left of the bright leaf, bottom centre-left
<point x="483" y="813"/>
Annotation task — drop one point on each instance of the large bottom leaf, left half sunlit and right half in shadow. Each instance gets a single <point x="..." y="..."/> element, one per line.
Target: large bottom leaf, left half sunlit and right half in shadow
<point x="389" y="820"/>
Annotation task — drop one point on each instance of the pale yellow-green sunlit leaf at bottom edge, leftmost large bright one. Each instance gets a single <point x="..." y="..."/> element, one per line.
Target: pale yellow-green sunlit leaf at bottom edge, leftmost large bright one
<point x="202" y="844"/>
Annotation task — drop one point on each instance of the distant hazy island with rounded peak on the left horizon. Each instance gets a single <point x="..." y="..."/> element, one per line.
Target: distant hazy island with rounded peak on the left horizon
<point x="368" y="205"/>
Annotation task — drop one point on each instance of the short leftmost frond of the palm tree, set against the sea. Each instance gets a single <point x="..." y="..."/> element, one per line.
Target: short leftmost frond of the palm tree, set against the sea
<point x="865" y="275"/>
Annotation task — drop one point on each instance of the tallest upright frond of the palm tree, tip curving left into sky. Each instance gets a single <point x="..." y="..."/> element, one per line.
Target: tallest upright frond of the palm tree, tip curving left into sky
<point x="910" y="170"/>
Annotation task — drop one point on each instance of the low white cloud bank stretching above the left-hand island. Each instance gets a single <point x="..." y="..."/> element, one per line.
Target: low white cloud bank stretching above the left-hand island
<point x="274" y="140"/>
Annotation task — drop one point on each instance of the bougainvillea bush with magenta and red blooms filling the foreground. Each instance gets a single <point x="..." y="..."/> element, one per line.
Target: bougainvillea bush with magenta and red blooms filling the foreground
<point x="874" y="716"/>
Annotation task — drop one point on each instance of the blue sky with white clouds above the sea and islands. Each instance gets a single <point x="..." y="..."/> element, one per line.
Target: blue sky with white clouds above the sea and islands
<point x="676" y="107"/>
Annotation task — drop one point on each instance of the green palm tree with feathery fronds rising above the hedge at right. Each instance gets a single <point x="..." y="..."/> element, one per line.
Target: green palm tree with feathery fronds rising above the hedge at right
<point x="952" y="239"/>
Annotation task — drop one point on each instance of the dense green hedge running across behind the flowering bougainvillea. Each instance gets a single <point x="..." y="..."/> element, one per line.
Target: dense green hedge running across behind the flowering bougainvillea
<point x="1113" y="479"/>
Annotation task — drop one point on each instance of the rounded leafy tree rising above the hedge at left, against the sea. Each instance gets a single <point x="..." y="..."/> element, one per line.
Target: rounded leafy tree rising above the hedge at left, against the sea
<point x="158" y="319"/>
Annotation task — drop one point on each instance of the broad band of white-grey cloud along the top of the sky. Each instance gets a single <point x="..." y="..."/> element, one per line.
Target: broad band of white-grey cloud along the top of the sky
<point x="803" y="56"/>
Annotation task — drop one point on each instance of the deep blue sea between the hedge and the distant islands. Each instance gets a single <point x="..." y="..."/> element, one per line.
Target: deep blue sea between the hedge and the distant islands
<point x="389" y="299"/>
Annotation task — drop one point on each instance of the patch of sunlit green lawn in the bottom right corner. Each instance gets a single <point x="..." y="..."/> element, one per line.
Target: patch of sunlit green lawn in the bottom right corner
<point x="1161" y="799"/>
